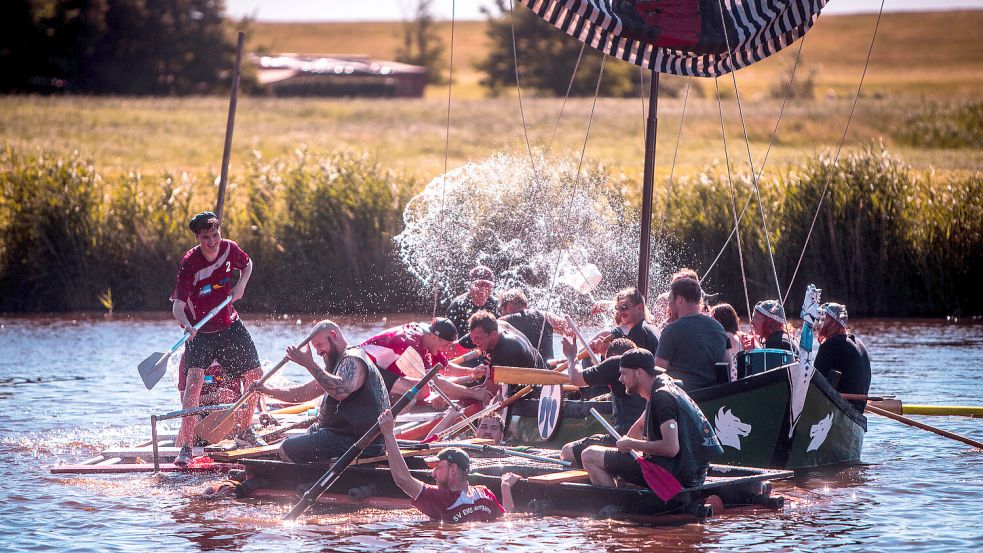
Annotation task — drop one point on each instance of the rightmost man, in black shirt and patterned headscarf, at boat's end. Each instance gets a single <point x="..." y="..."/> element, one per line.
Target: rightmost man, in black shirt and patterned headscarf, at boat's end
<point x="840" y="351"/>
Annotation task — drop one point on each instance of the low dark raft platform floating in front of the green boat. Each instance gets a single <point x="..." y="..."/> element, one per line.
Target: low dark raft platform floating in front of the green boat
<point x="367" y="484"/>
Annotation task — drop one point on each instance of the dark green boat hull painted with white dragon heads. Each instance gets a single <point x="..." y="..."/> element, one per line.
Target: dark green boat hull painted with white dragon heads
<point x="752" y="416"/>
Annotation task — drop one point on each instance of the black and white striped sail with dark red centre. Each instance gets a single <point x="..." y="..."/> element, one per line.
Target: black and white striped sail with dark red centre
<point x="683" y="37"/>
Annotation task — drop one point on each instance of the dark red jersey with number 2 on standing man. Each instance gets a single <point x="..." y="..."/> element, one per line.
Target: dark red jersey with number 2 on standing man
<point x="203" y="284"/>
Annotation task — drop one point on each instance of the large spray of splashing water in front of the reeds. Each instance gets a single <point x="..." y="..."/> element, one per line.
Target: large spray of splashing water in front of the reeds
<point x="546" y="231"/>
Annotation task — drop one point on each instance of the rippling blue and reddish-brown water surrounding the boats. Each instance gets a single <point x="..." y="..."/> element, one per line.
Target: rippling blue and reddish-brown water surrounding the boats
<point x="915" y="492"/>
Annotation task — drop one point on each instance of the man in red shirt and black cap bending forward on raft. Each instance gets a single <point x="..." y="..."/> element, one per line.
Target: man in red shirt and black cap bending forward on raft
<point x="432" y="342"/>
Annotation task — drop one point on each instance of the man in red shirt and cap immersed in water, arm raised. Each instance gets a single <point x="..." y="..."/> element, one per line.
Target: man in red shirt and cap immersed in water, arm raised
<point x="452" y="499"/>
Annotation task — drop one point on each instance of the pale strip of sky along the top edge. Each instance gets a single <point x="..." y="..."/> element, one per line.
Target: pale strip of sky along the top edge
<point x="397" y="10"/>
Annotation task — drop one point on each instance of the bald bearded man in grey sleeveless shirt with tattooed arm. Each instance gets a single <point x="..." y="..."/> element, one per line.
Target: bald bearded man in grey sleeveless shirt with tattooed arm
<point x="354" y="396"/>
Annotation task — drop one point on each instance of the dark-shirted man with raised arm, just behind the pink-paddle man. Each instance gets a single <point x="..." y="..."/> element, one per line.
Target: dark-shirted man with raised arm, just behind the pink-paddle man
<point x="627" y="408"/>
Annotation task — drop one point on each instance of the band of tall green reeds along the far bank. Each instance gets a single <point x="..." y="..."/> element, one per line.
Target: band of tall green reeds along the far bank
<point x="320" y="230"/>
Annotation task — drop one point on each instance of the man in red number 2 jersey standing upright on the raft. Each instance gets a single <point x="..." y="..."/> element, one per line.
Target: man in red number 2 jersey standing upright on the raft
<point x="204" y="279"/>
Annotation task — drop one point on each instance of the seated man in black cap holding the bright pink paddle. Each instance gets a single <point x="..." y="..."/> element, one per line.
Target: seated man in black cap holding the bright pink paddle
<point x="672" y="432"/>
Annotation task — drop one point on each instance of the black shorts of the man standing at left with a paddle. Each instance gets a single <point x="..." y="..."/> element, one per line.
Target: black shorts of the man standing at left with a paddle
<point x="231" y="347"/>
